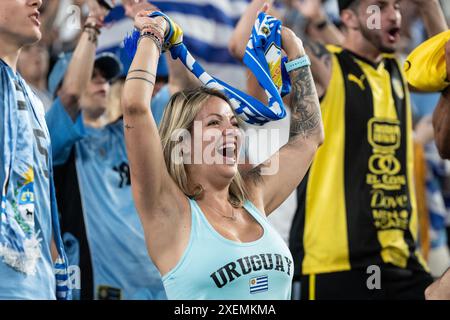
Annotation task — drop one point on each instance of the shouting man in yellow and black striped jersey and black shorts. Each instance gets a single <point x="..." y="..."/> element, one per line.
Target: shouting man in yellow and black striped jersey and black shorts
<point x="357" y="215"/>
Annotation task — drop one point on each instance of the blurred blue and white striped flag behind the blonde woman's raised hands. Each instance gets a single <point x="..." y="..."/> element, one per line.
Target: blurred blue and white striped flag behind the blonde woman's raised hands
<point x="207" y="25"/>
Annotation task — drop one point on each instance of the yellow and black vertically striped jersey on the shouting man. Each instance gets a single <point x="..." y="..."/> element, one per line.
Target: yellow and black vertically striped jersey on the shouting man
<point x="356" y="206"/>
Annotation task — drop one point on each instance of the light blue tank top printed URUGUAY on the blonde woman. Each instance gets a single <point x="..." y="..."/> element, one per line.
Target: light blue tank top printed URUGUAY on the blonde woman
<point x="215" y="268"/>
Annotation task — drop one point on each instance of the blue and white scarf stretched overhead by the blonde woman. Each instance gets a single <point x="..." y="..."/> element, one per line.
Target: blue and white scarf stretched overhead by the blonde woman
<point x="262" y="56"/>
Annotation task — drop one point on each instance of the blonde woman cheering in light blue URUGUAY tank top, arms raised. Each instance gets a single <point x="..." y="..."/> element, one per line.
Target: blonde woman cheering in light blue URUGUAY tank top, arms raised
<point x="205" y="224"/>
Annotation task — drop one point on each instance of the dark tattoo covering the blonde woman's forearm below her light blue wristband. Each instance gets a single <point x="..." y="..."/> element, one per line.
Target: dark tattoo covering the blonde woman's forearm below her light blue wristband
<point x="305" y="106"/>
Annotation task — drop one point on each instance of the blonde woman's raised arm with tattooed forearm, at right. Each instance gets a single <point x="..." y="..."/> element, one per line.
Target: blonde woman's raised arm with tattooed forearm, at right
<point x="291" y="163"/>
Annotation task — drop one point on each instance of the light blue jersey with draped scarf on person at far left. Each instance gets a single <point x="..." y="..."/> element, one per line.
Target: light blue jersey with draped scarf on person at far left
<point x="26" y="267"/>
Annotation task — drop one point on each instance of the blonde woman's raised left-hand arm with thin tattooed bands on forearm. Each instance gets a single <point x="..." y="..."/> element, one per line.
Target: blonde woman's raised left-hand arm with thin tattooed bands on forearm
<point x="161" y="205"/>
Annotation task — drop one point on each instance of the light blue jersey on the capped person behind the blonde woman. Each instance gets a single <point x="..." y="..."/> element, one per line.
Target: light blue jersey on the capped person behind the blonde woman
<point x="115" y="235"/>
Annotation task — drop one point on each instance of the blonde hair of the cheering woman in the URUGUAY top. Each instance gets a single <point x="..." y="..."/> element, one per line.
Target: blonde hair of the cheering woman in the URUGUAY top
<point x="179" y="114"/>
